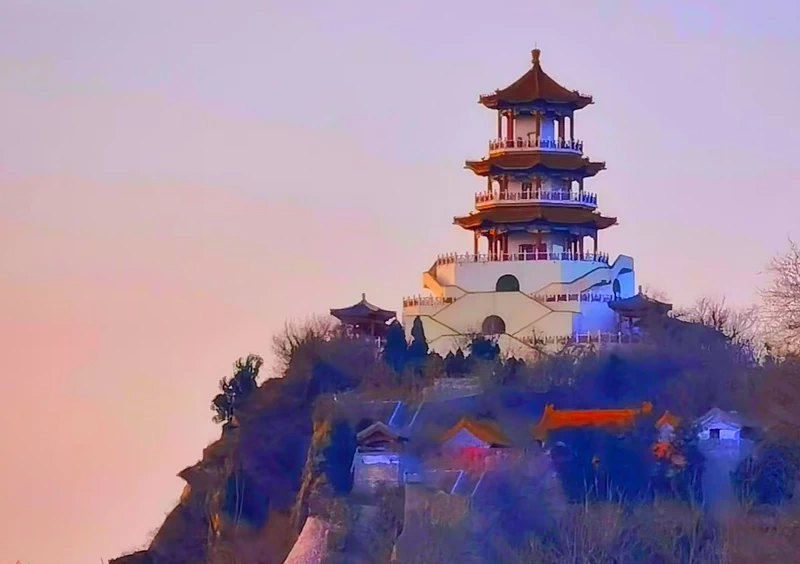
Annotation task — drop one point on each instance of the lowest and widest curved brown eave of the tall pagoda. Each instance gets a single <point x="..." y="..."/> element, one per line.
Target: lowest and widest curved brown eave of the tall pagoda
<point x="532" y="215"/>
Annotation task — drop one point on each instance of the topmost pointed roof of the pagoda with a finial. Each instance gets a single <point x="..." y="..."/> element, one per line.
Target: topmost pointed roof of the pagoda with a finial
<point x="535" y="85"/>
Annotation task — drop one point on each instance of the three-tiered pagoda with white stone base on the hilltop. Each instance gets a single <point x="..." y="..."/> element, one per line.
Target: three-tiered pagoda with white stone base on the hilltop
<point x="536" y="273"/>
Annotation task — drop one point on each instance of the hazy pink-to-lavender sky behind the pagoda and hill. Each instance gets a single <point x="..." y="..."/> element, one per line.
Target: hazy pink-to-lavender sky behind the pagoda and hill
<point x="178" y="178"/>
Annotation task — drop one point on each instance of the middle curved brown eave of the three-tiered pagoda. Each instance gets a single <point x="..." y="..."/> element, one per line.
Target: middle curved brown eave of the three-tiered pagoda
<point x="533" y="162"/>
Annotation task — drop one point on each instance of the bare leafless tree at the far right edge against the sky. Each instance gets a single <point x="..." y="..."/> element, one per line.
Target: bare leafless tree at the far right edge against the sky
<point x="781" y="312"/>
